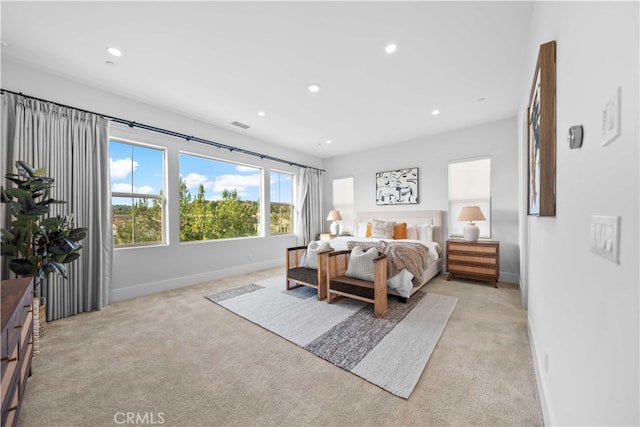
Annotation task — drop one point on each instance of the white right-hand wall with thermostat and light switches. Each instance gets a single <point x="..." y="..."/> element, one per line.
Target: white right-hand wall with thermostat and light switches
<point x="583" y="309"/>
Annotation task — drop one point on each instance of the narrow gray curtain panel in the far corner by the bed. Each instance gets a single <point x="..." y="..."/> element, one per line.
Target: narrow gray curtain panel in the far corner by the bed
<point x="309" y="217"/>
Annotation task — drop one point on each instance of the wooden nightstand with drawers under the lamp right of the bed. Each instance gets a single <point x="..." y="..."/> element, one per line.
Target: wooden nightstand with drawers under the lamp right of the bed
<point x="477" y="260"/>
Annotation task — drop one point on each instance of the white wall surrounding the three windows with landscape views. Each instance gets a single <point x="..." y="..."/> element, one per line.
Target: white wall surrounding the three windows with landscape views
<point x="140" y="271"/>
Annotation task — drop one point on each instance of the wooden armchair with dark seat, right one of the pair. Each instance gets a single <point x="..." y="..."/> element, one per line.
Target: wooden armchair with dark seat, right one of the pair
<point x="339" y="285"/>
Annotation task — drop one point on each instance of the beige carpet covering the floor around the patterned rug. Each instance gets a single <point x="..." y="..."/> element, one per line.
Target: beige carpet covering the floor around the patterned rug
<point x="198" y="364"/>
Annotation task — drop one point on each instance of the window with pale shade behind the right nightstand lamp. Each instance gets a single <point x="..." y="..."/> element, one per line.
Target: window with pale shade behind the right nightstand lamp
<point x="469" y="185"/>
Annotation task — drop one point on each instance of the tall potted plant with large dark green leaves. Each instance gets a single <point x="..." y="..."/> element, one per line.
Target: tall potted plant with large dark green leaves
<point x="37" y="244"/>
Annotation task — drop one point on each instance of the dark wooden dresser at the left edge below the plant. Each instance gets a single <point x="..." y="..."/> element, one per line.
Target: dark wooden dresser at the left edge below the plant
<point x="17" y="344"/>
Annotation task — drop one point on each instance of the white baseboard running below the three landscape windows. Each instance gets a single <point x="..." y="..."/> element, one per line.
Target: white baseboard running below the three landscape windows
<point x="180" y="282"/>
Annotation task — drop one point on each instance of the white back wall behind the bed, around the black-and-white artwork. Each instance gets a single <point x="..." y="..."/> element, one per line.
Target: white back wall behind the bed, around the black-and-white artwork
<point x="431" y="155"/>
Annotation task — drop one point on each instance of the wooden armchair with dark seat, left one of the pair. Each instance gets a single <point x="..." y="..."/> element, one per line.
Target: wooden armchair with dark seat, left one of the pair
<point x="300" y="275"/>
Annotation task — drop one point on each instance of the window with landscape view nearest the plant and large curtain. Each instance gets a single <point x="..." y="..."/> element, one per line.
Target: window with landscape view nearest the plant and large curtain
<point x="137" y="188"/>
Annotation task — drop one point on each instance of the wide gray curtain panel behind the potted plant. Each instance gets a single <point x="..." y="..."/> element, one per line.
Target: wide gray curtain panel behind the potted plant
<point x="73" y="146"/>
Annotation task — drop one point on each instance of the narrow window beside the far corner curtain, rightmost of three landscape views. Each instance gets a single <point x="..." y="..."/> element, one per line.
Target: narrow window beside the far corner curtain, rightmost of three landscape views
<point x="281" y="211"/>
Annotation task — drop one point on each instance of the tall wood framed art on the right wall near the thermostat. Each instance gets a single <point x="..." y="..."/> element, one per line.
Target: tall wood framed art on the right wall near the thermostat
<point x="541" y="120"/>
